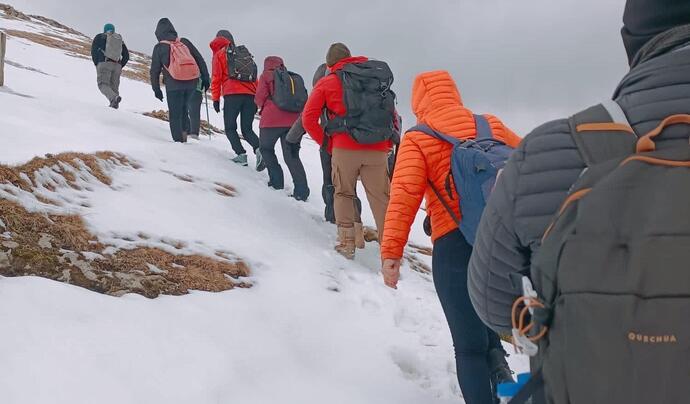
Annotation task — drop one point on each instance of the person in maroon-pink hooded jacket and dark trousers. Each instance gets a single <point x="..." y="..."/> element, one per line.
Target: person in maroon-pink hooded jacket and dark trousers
<point x="275" y="124"/>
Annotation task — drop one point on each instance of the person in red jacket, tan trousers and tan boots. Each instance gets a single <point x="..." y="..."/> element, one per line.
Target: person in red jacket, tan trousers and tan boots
<point x="351" y="160"/>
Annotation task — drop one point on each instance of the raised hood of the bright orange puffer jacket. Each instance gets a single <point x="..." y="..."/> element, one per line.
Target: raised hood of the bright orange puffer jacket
<point x="433" y="92"/>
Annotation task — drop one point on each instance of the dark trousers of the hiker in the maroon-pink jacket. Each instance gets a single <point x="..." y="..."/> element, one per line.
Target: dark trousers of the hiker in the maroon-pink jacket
<point x="268" y="139"/>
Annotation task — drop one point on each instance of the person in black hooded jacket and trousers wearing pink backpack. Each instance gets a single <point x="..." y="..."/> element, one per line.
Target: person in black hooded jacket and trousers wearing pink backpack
<point x="178" y="92"/>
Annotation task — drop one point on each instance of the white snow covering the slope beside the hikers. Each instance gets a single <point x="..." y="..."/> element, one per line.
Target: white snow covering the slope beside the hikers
<point x="314" y="328"/>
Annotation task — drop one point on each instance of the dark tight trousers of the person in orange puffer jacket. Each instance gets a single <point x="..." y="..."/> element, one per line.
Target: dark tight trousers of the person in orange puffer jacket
<point x="471" y="338"/>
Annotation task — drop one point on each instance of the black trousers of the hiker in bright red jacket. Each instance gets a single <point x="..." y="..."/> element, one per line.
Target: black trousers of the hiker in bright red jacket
<point x="241" y="105"/>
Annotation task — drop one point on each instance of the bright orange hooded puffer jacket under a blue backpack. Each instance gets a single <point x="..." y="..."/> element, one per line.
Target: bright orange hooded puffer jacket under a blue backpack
<point x="437" y="103"/>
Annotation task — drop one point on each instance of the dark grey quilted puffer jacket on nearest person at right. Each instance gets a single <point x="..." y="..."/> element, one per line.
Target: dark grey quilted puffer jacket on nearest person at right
<point x="537" y="178"/>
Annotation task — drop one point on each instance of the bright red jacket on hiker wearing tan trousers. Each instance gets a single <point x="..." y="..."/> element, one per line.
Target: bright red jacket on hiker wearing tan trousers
<point x="328" y="94"/>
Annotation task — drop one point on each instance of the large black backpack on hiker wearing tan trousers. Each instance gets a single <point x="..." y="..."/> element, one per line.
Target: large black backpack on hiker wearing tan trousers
<point x="369" y="102"/>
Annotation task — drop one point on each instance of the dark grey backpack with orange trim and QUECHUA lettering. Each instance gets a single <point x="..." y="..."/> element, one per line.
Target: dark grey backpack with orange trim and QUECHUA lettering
<point x="611" y="312"/>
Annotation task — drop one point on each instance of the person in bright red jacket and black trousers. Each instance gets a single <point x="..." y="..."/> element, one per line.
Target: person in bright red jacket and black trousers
<point x="238" y="97"/>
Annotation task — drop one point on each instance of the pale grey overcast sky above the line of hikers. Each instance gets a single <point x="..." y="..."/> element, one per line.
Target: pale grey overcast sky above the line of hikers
<point x="526" y="61"/>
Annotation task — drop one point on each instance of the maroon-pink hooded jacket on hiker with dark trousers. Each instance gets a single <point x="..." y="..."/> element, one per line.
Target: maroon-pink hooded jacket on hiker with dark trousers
<point x="271" y="115"/>
